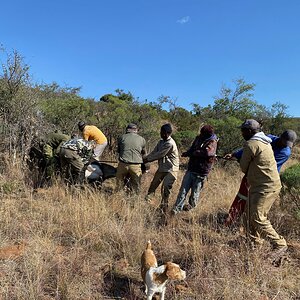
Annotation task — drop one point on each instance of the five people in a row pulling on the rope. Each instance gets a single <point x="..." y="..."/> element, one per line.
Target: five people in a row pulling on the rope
<point x="260" y="159"/>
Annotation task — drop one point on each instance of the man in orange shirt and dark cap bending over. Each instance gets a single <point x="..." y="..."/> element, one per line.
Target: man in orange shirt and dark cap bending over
<point x="92" y="133"/>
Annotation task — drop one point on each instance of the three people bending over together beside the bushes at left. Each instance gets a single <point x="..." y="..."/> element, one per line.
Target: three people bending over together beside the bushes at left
<point x="69" y="155"/>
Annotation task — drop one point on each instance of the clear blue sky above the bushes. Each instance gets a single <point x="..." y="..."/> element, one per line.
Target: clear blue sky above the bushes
<point x="185" y="49"/>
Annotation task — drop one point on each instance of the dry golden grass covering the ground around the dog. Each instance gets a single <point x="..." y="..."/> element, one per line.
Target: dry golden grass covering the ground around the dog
<point x="86" y="244"/>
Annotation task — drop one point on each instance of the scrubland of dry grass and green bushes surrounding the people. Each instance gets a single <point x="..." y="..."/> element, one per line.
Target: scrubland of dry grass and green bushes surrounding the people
<point x="59" y="243"/>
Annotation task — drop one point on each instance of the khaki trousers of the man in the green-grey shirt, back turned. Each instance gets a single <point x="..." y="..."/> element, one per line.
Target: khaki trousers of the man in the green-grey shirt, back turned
<point x="131" y="172"/>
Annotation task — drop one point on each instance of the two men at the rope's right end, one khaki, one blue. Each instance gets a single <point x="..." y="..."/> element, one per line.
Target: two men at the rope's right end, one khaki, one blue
<point x="260" y="160"/>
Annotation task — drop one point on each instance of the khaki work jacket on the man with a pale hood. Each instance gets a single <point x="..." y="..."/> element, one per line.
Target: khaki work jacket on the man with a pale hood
<point x="259" y="164"/>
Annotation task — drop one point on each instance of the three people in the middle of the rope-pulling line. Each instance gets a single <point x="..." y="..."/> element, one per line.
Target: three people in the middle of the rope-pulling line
<point x="132" y="156"/>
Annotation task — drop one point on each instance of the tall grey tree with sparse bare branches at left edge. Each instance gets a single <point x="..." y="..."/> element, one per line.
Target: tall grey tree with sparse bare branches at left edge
<point x="18" y="104"/>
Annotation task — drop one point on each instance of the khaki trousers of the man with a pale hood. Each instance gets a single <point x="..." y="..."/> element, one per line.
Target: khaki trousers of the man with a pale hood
<point x="258" y="225"/>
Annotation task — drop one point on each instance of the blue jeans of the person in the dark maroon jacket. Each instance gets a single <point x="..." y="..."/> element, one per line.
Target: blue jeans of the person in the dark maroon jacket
<point x="191" y="181"/>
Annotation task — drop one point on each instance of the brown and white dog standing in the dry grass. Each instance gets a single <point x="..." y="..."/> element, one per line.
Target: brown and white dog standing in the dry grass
<point x="156" y="278"/>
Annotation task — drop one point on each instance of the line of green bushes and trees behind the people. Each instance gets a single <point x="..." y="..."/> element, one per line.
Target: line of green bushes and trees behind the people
<point x="28" y="109"/>
